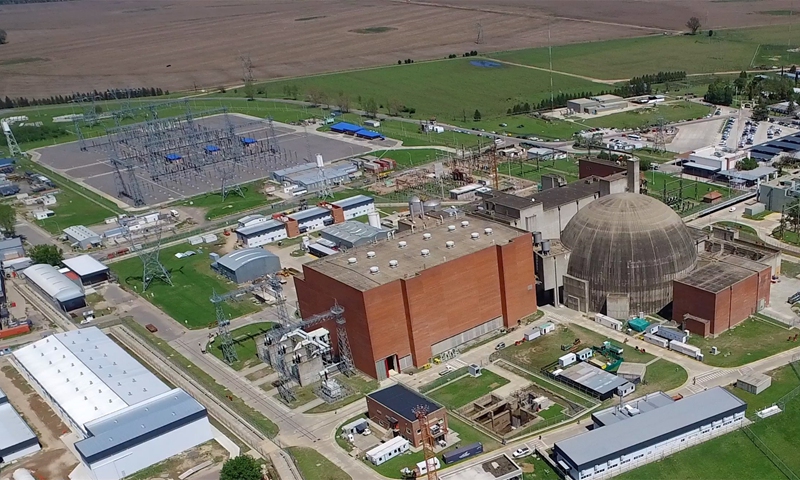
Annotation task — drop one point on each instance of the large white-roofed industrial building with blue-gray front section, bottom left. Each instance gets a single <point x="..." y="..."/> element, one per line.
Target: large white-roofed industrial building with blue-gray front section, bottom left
<point x="128" y="419"/>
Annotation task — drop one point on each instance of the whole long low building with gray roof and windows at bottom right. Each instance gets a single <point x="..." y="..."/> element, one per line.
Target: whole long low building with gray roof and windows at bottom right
<point x="637" y="436"/>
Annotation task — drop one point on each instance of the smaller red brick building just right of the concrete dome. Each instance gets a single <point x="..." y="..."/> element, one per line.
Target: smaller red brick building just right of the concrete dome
<point x="720" y="295"/>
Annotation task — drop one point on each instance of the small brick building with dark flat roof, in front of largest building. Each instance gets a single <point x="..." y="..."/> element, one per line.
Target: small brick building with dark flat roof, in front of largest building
<point x="391" y="408"/>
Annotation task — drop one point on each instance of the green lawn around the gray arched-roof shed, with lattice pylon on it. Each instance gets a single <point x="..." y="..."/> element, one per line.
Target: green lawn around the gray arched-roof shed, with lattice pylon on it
<point x="188" y="301"/>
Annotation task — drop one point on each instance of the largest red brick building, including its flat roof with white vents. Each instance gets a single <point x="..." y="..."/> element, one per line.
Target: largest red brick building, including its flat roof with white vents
<point x="428" y="291"/>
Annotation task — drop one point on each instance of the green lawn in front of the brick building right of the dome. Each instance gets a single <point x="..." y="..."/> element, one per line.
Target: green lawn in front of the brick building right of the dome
<point x="749" y="341"/>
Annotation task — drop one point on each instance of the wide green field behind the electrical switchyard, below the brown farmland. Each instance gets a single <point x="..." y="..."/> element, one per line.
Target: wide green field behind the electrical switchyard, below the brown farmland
<point x="428" y="88"/>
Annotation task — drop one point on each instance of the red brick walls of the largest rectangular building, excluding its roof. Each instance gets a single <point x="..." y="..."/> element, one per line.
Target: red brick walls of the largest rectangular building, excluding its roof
<point x="407" y="316"/>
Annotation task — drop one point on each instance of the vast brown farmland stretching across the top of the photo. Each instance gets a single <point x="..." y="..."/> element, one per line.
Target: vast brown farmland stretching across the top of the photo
<point x="59" y="48"/>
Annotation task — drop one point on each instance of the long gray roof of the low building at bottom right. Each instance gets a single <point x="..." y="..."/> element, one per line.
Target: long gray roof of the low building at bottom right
<point x="648" y="428"/>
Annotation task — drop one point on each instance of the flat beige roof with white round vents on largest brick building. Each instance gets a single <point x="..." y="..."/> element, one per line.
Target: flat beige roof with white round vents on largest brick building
<point x="410" y="260"/>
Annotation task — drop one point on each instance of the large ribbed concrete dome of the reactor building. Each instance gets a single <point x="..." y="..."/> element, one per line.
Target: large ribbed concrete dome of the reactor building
<point x="630" y="244"/>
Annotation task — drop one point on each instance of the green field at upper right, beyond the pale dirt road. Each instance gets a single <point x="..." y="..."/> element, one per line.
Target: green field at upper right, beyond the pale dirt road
<point x="727" y="50"/>
